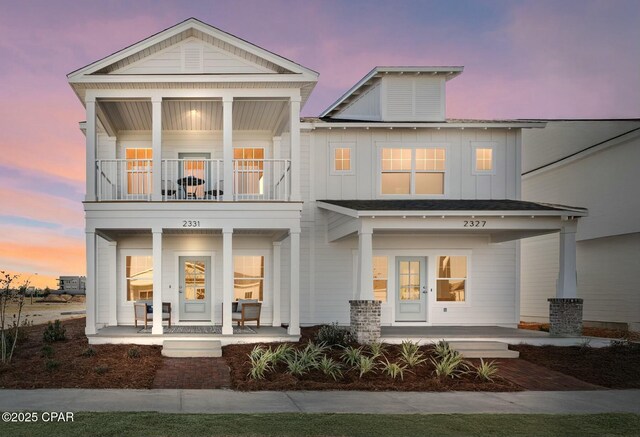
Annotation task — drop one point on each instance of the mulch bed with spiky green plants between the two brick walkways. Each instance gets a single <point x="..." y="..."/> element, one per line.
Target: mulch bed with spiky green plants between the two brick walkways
<point x="419" y="378"/>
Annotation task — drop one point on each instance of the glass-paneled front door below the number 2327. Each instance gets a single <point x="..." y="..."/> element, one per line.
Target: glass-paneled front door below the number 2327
<point x="411" y="290"/>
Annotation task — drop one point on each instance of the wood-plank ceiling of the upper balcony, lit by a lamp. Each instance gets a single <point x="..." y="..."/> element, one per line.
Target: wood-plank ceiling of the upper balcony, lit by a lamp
<point x="194" y="115"/>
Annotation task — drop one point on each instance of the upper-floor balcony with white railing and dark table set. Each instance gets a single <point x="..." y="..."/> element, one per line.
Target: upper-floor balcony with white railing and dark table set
<point x="187" y="180"/>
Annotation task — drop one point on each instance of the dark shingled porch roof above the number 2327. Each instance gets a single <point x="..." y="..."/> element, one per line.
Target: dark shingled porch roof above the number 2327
<point x="444" y="205"/>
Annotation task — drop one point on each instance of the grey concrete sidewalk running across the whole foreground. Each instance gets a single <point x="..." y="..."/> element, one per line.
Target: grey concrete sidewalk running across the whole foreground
<point x="229" y="401"/>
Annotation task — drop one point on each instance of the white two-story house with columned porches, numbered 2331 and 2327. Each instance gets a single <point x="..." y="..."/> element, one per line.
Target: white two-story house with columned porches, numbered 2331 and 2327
<point x="205" y="187"/>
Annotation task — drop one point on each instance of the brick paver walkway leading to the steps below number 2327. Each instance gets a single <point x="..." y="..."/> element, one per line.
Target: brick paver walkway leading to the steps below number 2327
<point x="534" y="377"/>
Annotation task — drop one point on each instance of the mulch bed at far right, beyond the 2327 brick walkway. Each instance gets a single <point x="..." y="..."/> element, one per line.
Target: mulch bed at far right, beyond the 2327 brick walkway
<point x="612" y="367"/>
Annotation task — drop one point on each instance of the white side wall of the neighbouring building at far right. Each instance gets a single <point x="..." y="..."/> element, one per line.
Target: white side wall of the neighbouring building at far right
<point x="608" y="240"/>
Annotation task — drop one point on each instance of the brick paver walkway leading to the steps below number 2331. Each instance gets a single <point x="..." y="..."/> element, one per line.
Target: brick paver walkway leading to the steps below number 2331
<point x="188" y="373"/>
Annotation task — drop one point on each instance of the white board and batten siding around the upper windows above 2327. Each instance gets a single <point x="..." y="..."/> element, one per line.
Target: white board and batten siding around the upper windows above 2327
<point x="460" y="182"/>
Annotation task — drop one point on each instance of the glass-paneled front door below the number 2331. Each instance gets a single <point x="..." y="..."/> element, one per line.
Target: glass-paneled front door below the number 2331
<point x="195" y="288"/>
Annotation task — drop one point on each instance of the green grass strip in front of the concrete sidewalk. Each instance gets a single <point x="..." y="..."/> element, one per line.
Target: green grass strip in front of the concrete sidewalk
<point x="193" y="425"/>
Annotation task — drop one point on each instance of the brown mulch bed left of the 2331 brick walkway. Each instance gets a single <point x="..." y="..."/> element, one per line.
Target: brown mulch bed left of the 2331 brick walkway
<point x="110" y="367"/>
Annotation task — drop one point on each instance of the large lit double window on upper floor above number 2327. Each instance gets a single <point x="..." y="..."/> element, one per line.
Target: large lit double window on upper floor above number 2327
<point x="413" y="171"/>
